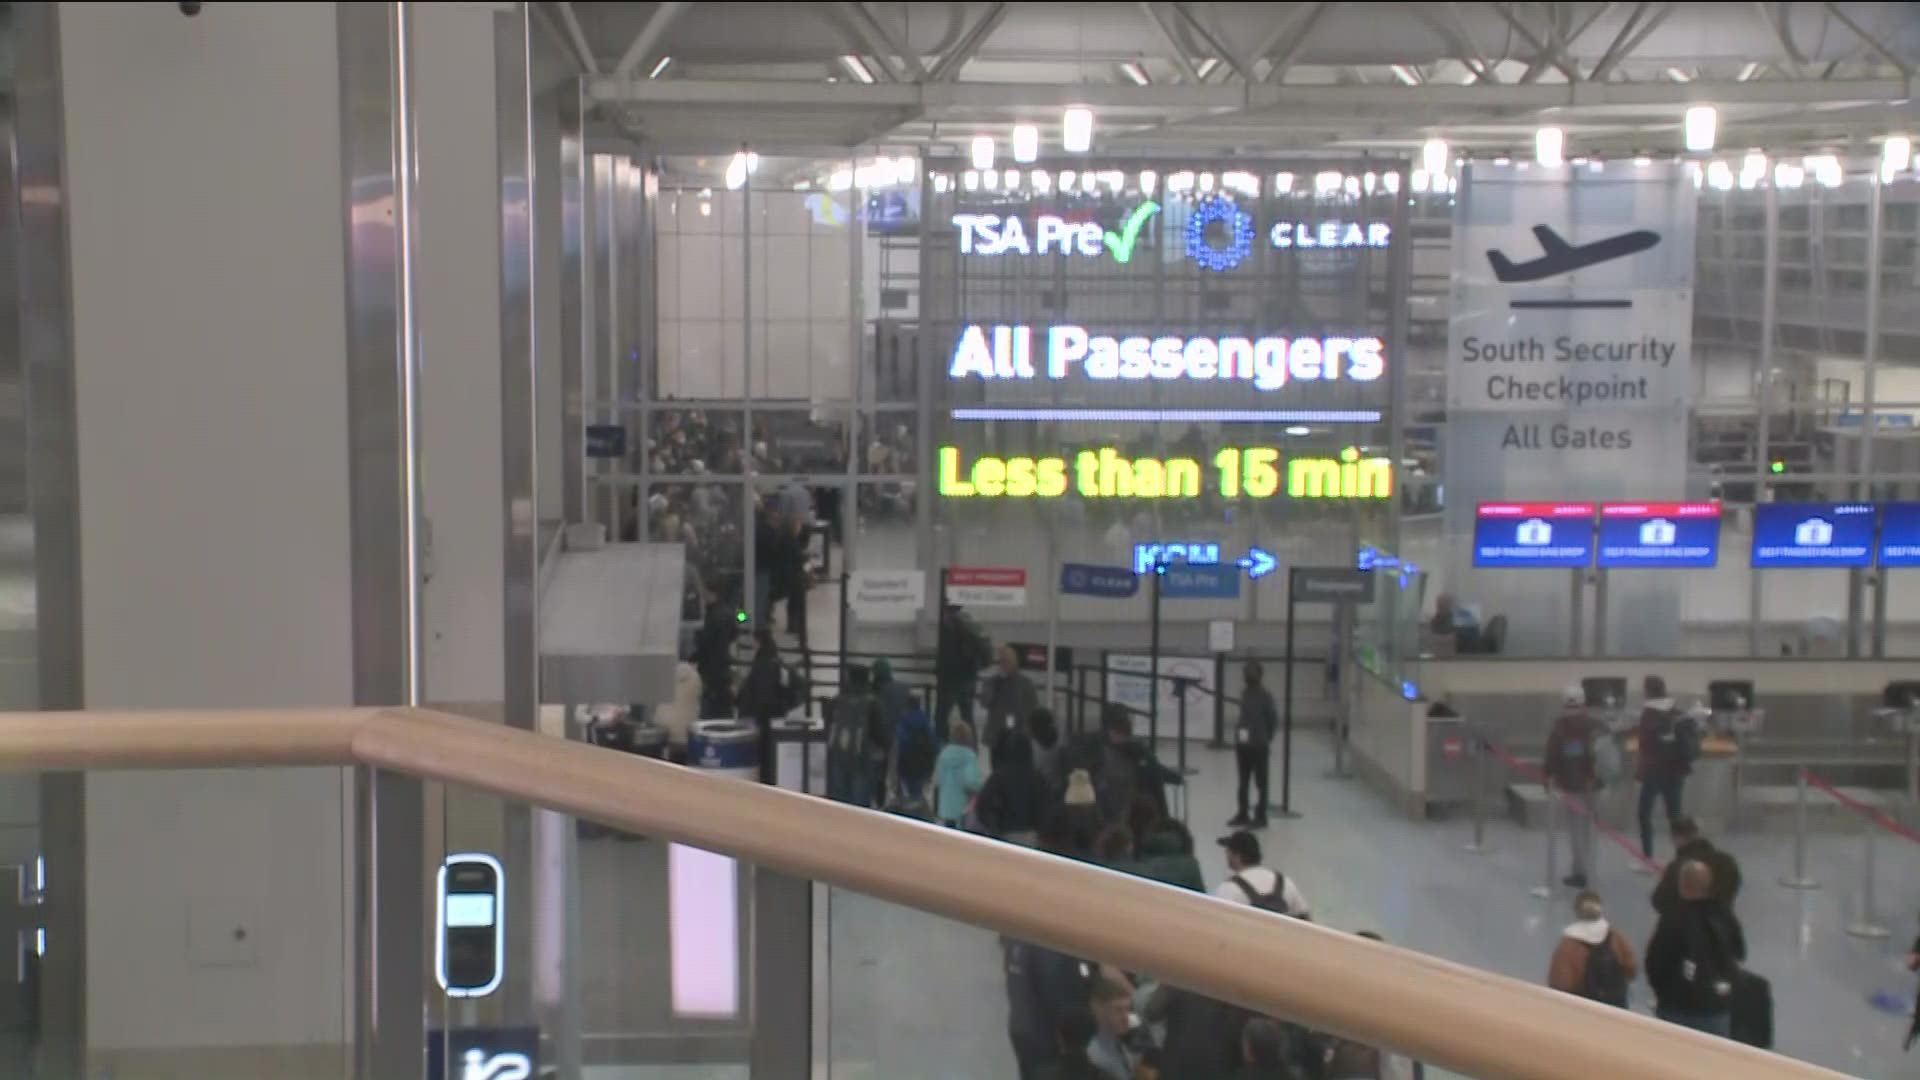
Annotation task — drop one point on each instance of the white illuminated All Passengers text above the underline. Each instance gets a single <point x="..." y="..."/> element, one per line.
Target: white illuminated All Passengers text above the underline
<point x="1272" y="362"/>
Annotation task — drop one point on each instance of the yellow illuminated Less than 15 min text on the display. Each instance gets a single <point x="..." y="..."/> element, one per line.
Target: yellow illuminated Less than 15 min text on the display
<point x="1105" y="474"/>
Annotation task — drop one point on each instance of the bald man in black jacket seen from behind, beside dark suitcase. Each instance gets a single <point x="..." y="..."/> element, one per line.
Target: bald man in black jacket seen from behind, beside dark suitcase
<point x="1694" y="956"/>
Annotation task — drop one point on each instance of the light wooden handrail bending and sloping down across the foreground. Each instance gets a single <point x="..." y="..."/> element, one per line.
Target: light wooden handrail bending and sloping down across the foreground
<point x="1451" y="1016"/>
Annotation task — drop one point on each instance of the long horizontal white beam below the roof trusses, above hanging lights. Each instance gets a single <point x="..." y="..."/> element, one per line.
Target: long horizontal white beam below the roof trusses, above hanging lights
<point x="1383" y="97"/>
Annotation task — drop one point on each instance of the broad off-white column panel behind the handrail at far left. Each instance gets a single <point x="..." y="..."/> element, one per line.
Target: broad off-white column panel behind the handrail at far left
<point x="212" y="393"/>
